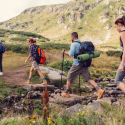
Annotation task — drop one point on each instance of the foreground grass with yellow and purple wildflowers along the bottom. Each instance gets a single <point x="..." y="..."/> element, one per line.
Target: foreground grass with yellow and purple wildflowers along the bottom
<point x="113" y="115"/>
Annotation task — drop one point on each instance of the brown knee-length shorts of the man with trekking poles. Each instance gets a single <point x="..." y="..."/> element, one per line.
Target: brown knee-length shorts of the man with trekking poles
<point x="75" y="71"/>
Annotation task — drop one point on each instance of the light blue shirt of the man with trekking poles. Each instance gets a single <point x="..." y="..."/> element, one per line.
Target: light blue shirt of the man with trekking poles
<point x="74" y="49"/>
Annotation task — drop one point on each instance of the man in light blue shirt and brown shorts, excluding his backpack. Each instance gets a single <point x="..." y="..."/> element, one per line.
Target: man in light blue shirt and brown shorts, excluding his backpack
<point x="78" y="69"/>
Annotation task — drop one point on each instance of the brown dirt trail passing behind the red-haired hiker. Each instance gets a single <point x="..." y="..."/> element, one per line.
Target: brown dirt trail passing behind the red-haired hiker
<point x="18" y="76"/>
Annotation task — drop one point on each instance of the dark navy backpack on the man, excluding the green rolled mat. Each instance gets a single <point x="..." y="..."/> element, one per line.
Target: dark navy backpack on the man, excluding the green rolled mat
<point x="85" y="47"/>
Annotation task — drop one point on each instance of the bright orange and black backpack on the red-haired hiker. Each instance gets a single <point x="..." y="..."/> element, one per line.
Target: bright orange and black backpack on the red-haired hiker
<point x="40" y="55"/>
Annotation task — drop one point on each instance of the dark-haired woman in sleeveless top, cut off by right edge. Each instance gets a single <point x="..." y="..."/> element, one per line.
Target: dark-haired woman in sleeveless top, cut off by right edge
<point x="120" y="26"/>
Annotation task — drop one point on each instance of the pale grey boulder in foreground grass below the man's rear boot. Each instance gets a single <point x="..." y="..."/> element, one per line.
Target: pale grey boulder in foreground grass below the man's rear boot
<point x="95" y="107"/>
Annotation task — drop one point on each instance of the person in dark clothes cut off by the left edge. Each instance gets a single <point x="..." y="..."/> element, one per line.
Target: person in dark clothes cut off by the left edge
<point x="2" y="50"/>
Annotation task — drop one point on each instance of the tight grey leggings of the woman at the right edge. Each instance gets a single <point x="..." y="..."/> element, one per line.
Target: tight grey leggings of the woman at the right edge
<point x="119" y="76"/>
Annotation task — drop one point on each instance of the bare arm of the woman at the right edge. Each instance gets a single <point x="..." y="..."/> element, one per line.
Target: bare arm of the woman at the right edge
<point x="121" y="68"/>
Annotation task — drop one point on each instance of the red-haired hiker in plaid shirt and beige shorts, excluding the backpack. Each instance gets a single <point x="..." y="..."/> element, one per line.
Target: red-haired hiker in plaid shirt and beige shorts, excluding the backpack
<point x="35" y="65"/>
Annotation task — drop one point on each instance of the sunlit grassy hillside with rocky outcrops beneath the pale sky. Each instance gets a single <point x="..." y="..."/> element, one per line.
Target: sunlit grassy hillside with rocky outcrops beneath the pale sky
<point x="92" y="19"/>
